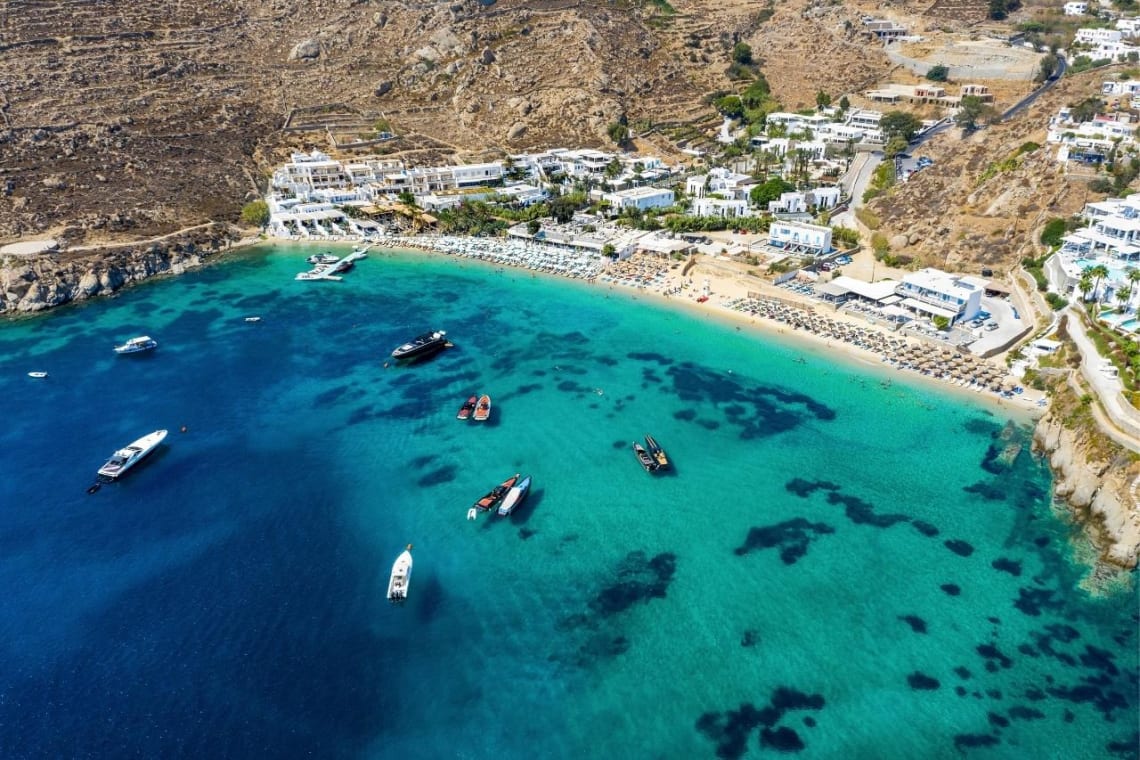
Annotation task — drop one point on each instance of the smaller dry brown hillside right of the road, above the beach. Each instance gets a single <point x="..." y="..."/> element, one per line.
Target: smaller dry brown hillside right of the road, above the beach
<point x="978" y="209"/>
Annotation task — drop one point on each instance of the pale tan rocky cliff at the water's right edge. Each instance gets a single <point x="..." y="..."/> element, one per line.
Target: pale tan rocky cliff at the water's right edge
<point x="1097" y="478"/>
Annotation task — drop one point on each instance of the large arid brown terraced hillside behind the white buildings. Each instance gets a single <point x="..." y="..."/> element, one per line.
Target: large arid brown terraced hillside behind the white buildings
<point x="123" y="120"/>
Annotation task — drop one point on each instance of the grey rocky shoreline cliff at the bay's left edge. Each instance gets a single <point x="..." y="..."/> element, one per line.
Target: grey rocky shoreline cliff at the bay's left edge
<point x="42" y="282"/>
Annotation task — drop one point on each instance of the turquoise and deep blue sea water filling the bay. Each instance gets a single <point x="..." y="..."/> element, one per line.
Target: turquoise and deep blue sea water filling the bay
<point x="837" y="568"/>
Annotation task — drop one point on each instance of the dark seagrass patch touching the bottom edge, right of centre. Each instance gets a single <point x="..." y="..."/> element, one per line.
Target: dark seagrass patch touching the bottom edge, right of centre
<point x="730" y="730"/>
